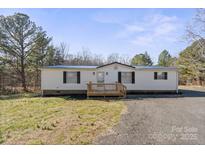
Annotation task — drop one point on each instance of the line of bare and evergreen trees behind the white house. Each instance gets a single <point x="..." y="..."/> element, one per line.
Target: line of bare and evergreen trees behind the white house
<point x="26" y="47"/>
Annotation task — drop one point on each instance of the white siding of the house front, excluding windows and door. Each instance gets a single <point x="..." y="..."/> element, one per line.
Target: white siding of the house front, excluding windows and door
<point x="52" y="79"/>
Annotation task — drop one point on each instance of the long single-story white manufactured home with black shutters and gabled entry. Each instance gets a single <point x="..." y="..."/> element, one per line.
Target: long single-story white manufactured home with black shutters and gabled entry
<point x="63" y="79"/>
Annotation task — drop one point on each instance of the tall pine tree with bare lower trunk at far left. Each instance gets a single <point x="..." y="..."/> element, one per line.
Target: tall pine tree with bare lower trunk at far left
<point x="18" y="34"/>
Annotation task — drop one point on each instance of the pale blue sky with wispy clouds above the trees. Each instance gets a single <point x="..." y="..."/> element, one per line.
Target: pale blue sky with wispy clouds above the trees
<point x="105" y="31"/>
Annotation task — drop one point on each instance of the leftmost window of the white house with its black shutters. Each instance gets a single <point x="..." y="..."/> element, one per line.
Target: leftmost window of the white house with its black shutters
<point x="71" y="77"/>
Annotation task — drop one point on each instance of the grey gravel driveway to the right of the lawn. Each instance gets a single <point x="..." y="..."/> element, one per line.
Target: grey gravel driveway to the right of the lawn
<point x="161" y="119"/>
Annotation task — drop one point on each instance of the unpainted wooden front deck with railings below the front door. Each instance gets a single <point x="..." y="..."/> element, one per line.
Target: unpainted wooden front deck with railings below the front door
<point x="106" y="89"/>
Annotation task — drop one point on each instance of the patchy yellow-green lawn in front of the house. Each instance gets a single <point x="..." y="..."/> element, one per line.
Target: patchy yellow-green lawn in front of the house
<point x="55" y="120"/>
